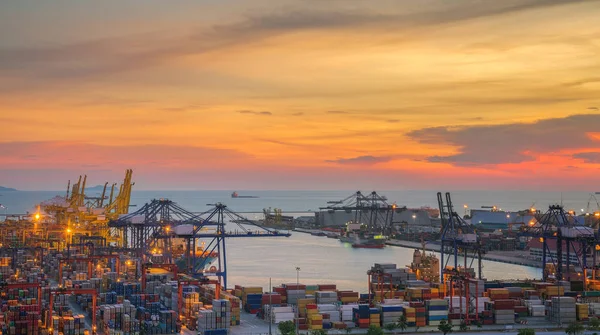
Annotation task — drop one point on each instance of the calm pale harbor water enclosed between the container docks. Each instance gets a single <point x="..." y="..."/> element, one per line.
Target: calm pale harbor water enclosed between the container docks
<point x="327" y="260"/>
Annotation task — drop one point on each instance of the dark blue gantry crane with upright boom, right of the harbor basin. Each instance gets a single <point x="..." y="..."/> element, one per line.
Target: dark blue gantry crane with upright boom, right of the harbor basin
<point x="457" y="236"/>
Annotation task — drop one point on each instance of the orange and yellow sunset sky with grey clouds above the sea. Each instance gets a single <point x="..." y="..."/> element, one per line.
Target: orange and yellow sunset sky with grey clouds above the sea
<point x="304" y="94"/>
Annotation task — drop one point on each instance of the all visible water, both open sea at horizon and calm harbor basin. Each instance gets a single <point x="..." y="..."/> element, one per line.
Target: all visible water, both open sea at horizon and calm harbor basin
<point x="252" y="261"/>
